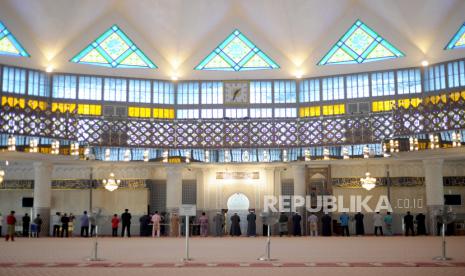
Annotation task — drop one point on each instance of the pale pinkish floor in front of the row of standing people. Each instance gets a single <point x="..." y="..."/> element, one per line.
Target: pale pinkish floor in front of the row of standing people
<point x="233" y="256"/>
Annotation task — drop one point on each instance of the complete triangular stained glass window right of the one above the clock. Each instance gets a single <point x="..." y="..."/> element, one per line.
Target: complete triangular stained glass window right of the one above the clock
<point x="358" y="45"/>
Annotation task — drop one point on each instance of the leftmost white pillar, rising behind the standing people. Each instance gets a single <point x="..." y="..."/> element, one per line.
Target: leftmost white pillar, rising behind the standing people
<point x="43" y="193"/>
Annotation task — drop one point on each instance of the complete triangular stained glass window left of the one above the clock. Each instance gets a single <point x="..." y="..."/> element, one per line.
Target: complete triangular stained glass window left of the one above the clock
<point x="114" y="49"/>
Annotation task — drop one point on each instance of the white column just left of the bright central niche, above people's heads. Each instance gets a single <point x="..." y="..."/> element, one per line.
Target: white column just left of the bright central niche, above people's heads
<point x="173" y="187"/>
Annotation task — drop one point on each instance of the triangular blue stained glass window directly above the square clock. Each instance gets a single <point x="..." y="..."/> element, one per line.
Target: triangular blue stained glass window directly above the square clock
<point x="237" y="53"/>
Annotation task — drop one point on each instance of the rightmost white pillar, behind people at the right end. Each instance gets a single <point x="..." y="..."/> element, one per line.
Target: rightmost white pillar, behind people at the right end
<point x="434" y="189"/>
